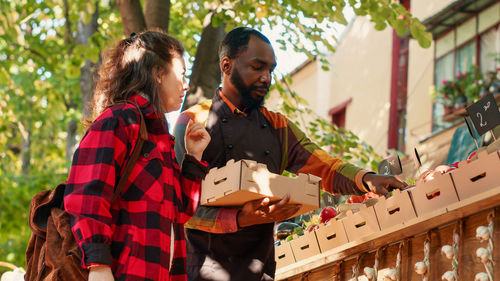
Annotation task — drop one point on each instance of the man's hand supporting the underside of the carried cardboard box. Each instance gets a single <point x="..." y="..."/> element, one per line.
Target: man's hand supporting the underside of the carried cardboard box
<point x="261" y="211"/>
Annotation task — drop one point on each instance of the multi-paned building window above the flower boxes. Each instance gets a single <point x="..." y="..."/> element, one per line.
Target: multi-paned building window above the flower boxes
<point x="472" y="42"/>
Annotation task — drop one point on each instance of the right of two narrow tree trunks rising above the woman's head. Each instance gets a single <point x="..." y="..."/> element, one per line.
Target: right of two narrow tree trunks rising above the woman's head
<point x="157" y="14"/>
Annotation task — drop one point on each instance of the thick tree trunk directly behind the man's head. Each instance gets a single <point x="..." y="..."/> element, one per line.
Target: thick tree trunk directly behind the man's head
<point x="206" y="74"/>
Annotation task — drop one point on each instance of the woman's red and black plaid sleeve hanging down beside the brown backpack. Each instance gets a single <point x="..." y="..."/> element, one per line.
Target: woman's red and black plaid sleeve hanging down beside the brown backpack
<point x="90" y="186"/>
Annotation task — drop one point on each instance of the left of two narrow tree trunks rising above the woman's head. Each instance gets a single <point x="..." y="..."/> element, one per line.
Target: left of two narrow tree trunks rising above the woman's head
<point x="132" y="17"/>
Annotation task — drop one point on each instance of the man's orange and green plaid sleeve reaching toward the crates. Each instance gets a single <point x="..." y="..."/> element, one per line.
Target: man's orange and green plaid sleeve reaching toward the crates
<point x="301" y="155"/>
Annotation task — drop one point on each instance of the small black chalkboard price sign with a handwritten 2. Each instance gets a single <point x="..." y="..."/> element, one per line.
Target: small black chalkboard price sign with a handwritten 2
<point x="484" y="114"/>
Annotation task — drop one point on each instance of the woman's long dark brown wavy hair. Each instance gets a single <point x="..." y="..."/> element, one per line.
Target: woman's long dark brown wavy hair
<point x="131" y="67"/>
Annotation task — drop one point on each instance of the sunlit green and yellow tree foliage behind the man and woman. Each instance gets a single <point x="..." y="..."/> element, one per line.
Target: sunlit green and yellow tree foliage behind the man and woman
<point x="47" y="51"/>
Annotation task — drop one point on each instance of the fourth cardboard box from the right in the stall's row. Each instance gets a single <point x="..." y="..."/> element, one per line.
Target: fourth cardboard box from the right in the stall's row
<point x="360" y="224"/>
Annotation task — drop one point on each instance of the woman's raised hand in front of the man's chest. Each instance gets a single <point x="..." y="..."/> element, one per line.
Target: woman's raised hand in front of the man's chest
<point x="196" y="139"/>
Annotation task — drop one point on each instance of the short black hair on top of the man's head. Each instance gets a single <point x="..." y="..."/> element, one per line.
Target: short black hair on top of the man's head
<point x="236" y="41"/>
